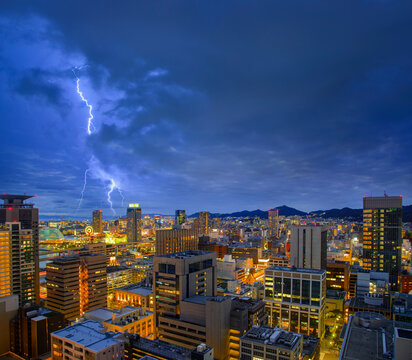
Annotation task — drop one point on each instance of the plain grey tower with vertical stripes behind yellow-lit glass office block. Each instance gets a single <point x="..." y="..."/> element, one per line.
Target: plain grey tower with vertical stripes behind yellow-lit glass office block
<point x="308" y="246"/>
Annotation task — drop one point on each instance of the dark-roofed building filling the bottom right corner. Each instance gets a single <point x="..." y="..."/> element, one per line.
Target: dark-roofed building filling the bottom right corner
<point x="369" y="335"/>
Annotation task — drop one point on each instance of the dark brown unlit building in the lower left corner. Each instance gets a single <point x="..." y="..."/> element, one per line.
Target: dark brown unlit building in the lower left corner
<point x="30" y="331"/>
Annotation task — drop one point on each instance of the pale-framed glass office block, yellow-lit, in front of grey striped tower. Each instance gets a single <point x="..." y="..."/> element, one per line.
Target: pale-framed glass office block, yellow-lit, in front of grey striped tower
<point x="295" y="299"/>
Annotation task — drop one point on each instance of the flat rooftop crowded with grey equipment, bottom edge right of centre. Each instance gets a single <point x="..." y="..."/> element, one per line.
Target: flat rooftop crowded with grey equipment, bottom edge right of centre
<point x="273" y="337"/>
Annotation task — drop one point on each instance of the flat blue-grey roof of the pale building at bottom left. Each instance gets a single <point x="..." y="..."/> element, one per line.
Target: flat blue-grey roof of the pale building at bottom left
<point x="89" y="335"/>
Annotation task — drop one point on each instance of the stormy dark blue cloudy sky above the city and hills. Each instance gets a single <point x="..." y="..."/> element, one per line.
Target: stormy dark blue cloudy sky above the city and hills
<point x="217" y="105"/>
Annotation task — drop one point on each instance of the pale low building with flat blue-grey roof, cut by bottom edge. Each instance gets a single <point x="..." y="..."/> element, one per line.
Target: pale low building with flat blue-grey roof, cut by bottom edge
<point x="86" y="341"/>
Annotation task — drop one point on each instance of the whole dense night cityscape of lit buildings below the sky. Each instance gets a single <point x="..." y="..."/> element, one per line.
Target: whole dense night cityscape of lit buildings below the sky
<point x="206" y="288"/>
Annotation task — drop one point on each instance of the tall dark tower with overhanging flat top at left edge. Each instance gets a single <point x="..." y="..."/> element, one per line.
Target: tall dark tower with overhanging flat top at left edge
<point x="21" y="220"/>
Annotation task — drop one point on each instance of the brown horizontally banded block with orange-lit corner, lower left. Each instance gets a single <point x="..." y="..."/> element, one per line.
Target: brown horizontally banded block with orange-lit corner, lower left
<point x="76" y="284"/>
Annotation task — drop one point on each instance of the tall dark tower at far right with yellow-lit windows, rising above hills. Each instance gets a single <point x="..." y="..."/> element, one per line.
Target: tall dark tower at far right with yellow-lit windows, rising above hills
<point x="382" y="236"/>
